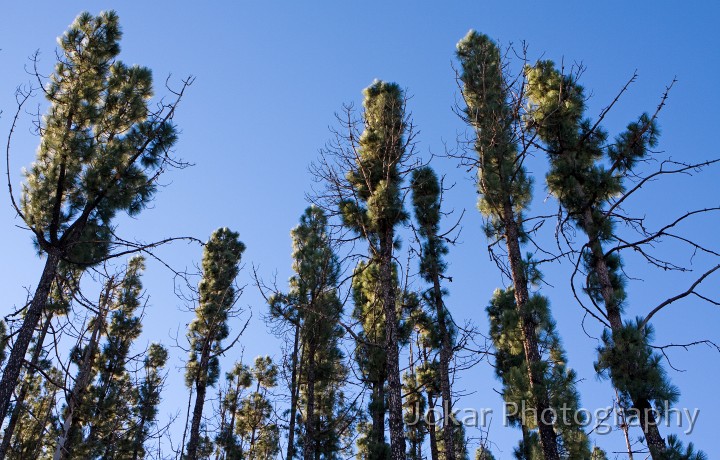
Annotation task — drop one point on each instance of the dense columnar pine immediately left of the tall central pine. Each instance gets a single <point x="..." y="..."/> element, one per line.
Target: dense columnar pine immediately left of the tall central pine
<point x="313" y="309"/>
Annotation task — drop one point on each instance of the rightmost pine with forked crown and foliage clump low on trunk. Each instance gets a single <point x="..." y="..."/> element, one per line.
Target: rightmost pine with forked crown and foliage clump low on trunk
<point x="580" y="178"/>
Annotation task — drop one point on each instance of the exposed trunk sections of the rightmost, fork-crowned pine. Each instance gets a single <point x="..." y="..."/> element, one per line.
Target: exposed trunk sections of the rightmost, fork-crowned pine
<point x="646" y="417"/>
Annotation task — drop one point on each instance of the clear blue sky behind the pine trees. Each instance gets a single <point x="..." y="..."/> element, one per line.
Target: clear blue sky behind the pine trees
<point x="270" y="75"/>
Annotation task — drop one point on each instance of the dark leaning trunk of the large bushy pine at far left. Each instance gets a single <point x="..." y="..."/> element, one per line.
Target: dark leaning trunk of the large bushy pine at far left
<point x="11" y="373"/>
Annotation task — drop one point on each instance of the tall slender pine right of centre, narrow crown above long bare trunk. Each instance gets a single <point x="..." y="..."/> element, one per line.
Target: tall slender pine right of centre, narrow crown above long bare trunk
<point x="505" y="194"/>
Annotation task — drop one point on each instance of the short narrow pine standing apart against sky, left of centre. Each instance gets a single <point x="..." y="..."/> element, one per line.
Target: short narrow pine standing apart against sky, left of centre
<point x="217" y="296"/>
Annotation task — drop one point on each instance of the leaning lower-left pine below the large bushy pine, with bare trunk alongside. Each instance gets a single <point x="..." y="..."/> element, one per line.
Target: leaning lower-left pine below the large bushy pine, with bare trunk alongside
<point x="99" y="411"/>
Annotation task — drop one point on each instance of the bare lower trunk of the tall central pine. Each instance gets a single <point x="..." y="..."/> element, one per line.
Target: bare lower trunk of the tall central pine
<point x="397" y="429"/>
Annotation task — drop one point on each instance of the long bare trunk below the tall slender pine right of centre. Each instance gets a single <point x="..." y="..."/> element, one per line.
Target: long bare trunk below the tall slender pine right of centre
<point x="548" y="438"/>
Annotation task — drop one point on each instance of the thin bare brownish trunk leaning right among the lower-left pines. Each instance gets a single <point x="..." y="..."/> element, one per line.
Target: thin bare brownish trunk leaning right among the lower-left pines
<point x="63" y="448"/>
